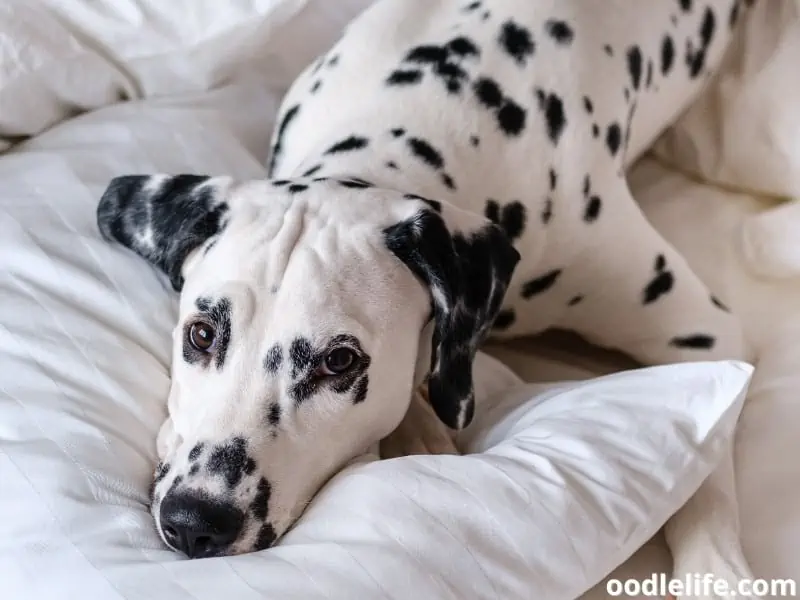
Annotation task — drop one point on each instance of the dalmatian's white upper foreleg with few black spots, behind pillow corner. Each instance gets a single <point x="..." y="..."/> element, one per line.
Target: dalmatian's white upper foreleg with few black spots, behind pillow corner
<point x="643" y="296"/>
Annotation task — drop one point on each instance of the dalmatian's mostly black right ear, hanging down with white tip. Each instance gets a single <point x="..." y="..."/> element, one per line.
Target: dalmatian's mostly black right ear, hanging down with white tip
<point x="467" y="275"/>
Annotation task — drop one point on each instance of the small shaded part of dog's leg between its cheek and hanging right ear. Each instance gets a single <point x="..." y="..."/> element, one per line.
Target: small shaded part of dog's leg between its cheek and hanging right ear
<point x="420" y="432"/>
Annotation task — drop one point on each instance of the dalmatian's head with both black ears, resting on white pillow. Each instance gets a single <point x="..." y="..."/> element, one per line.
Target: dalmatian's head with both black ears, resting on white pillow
<point x="303" y="317"/>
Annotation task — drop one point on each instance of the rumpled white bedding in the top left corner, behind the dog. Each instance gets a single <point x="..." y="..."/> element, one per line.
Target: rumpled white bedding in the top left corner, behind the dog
<point x="59" y="57"/>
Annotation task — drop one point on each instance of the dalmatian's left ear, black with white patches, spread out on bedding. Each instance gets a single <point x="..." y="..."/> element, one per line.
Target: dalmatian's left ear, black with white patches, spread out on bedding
<point x="163" y="218"/>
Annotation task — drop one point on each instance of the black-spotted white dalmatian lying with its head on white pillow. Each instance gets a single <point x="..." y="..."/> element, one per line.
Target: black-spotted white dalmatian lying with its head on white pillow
<point x="449" y="170"/>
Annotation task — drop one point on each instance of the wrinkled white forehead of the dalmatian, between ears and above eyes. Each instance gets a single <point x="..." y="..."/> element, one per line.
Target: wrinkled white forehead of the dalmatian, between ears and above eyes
<point x="314" y="257"/>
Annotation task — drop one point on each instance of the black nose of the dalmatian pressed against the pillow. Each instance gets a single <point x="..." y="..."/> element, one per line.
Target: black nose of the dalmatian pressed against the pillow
<point x="199" y="526"/>
